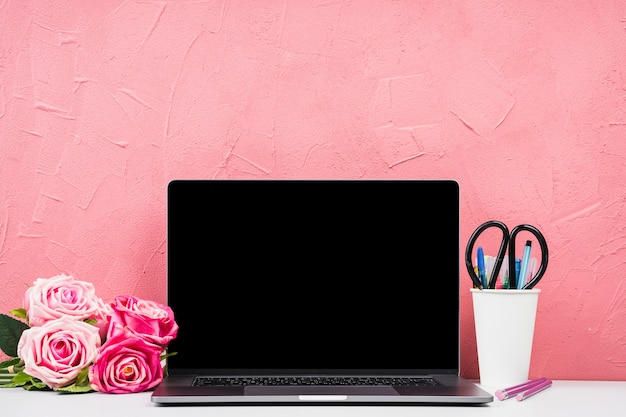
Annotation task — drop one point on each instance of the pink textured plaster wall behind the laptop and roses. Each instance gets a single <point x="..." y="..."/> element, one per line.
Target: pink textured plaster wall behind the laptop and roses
<point x="522" y="102"/>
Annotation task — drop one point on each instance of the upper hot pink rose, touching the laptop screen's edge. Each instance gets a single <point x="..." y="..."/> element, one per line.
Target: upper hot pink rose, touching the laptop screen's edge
<point x="147" y="319"/>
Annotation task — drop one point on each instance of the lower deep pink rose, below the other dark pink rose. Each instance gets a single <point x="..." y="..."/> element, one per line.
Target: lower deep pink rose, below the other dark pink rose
<point x="127" y="363"/>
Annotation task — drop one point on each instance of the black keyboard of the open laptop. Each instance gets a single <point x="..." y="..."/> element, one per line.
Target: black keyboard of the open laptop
<point x="314" y="381"/>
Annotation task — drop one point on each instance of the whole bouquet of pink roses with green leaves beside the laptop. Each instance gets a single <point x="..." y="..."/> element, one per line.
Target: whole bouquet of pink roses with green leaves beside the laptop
<point x="65" y="338"/>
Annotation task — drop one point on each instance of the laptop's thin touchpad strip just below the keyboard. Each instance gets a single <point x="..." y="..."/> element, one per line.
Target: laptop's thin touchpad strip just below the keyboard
<point x="320" y="390"/>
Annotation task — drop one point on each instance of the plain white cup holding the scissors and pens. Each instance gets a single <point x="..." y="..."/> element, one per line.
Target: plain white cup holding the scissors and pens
<point x="505" y="325"/>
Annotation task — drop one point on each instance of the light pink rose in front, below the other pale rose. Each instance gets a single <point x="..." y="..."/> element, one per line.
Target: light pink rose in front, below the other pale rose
<point x="58" y="350"/>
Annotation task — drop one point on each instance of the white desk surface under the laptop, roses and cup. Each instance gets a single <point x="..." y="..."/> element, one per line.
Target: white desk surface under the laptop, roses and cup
<point x="564" y="398"/>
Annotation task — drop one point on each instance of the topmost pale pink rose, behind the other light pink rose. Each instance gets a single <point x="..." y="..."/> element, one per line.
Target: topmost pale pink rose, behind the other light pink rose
<point x="62" y="296"/>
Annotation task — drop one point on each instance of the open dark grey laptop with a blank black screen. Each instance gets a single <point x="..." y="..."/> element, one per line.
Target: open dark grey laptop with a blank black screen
<point x="314" y="292"/>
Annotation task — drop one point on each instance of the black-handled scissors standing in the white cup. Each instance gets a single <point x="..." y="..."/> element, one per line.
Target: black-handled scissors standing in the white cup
<point x="508" y="241"/>
